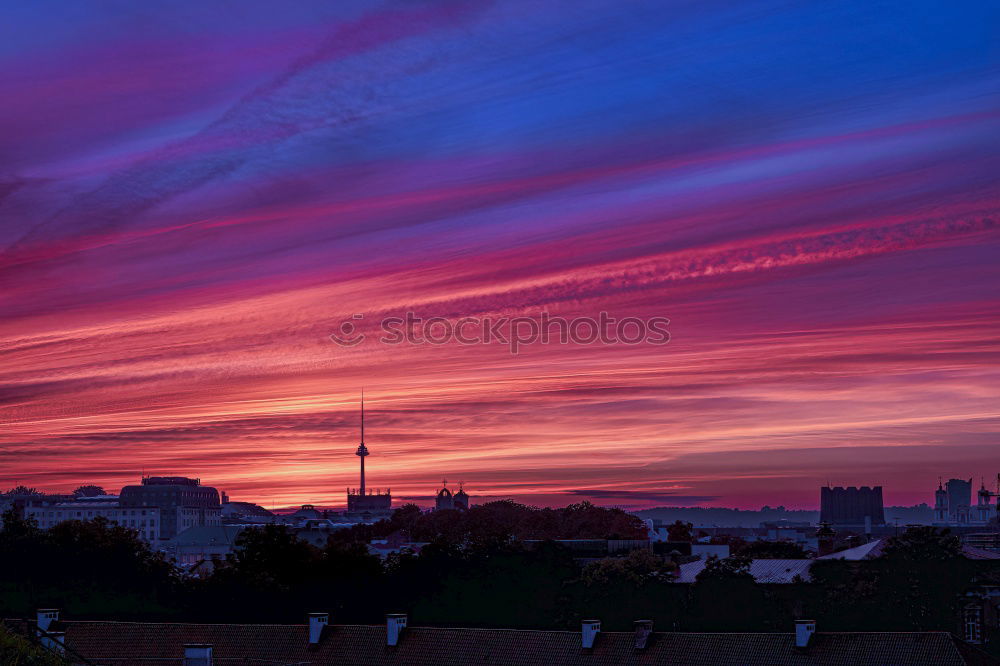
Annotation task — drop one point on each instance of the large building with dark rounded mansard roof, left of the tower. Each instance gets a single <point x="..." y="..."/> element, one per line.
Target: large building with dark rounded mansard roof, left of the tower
<point x="182" y="502"/>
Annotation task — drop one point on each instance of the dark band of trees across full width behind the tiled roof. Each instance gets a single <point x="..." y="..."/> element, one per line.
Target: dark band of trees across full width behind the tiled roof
<point x="473" y="575"/>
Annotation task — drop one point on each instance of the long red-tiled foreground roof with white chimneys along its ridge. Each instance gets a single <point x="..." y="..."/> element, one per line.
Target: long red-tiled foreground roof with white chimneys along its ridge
<point x="391" y="644"/>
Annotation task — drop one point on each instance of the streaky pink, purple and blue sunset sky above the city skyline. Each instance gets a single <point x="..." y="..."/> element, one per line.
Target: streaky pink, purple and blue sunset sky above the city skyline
<point x="194" y="196"/>
